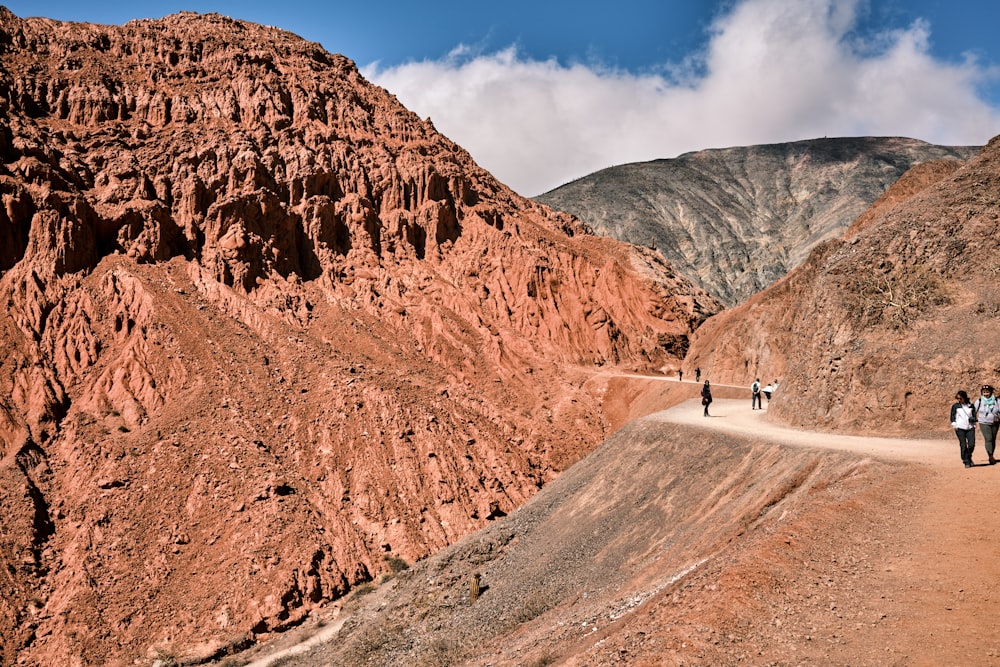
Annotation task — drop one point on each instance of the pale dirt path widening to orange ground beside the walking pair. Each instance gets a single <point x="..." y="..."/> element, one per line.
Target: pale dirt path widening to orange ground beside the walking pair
<point x="943" y="570"/>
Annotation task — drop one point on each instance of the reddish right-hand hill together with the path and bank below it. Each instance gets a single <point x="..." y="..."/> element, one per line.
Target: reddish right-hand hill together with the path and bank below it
<point x="691" y="541"/>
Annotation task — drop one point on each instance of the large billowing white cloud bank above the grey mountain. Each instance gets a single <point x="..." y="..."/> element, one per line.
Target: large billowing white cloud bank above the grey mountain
<point x="772" y="70"/>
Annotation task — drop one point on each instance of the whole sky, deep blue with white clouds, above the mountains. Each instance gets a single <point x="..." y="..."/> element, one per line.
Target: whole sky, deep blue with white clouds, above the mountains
<point x="544" y="92"/>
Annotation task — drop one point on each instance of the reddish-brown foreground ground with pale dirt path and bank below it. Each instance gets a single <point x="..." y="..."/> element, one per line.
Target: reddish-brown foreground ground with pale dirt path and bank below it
<point x="687" y="540"/>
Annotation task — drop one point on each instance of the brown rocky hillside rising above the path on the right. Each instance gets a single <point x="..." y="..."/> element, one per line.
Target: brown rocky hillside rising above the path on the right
<point x="877" y="330"/>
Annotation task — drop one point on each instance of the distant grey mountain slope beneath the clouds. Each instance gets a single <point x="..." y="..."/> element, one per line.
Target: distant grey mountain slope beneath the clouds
<point x="736" y="219"/>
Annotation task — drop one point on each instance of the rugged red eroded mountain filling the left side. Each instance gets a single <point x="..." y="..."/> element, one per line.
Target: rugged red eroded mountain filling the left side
<point x="264" y="328"/>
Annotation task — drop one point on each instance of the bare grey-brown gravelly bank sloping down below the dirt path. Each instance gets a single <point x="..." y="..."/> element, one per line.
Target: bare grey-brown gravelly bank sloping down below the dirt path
<point x="625" y="545"/>
